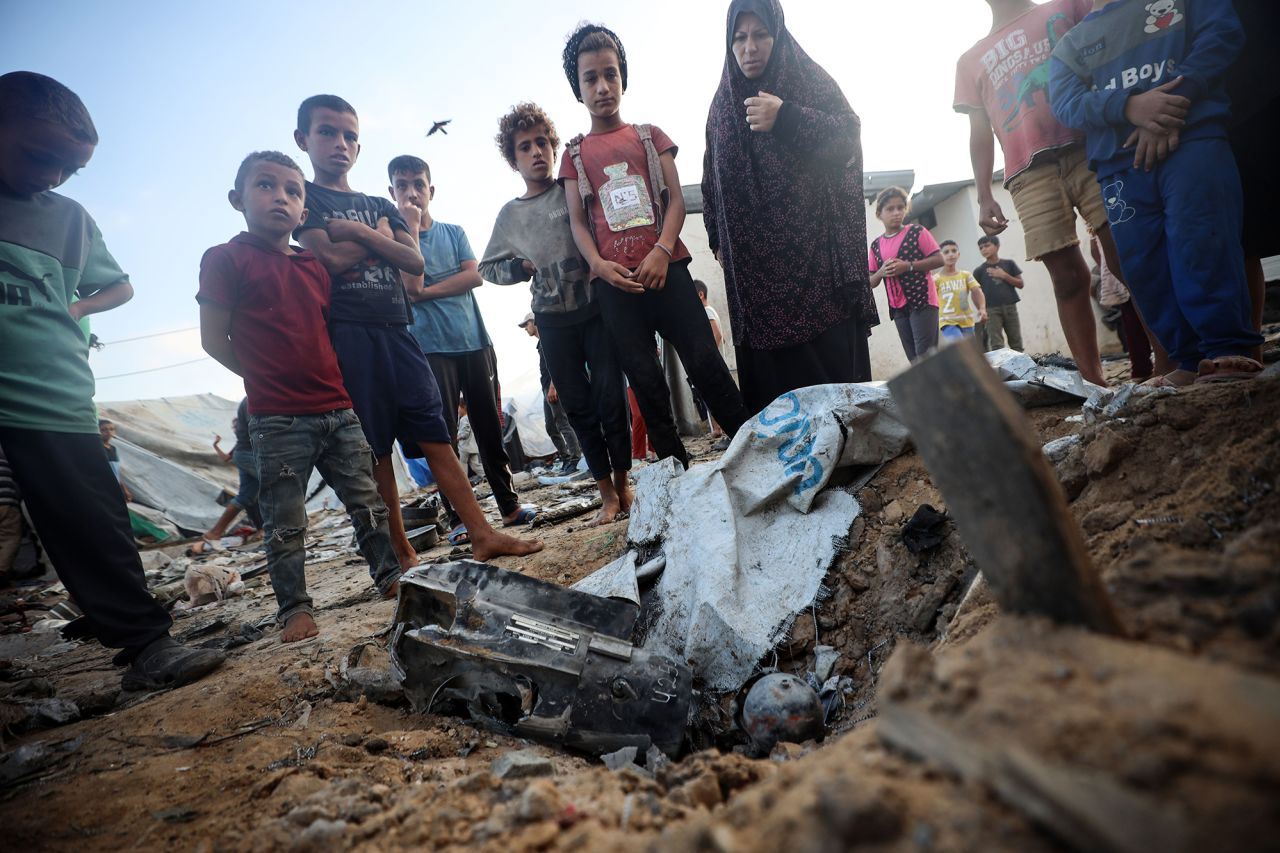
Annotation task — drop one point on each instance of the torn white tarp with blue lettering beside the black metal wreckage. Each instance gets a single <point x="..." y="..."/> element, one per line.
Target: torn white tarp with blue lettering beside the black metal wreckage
<point x="749" y="540"/>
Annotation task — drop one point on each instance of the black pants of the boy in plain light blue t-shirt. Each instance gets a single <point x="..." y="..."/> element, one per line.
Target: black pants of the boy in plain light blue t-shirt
<point x="476" y="377"/>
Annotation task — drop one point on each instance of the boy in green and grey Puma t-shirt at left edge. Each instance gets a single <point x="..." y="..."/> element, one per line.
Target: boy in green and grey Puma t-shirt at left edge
<point x="54" y="271"/>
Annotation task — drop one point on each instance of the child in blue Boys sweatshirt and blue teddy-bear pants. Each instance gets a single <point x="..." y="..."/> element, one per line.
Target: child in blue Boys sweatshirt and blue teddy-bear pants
<point x="1146" y="84"/>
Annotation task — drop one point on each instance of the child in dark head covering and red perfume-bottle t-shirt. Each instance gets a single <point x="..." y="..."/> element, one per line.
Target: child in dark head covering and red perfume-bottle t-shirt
<point x="627" y="212"/>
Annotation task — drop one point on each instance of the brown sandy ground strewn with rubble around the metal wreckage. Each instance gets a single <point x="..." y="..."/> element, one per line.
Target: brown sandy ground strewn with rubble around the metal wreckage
<point x="964" y="731"/>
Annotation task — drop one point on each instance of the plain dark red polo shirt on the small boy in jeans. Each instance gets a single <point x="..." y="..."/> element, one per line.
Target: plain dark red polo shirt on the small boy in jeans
<point x="280" y="308"/>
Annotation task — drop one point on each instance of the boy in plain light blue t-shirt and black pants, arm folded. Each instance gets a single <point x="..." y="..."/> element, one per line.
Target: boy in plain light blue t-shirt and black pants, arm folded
<point x="449" y="327"/>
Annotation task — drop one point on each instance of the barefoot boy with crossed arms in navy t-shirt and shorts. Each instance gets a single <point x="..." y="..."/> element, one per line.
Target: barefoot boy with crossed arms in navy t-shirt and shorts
<point x="367" y="244"/>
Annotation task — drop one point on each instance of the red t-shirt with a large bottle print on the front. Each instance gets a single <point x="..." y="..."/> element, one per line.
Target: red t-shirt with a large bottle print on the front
<point x="623" y="212"/>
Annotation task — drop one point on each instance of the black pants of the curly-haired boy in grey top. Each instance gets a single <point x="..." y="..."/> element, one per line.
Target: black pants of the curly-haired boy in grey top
<point x="584" y="366"/>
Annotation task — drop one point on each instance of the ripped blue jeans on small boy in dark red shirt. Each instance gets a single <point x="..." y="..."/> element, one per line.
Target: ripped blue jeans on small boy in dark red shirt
<point x="287" y="449"/>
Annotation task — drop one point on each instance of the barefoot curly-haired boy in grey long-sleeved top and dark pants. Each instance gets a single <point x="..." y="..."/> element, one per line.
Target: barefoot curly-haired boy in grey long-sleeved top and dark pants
<point x="533" y="241"/>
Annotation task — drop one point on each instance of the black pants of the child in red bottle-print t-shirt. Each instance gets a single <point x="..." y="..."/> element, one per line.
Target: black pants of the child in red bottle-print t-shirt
<point x="678" y="316"/>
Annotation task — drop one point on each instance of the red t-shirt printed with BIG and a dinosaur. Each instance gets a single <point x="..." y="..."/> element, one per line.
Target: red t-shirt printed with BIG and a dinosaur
<point x="1007" y="75"/>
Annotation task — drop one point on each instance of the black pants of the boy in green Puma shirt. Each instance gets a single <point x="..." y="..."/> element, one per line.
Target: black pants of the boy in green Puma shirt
<point x="80" y="514"/>
